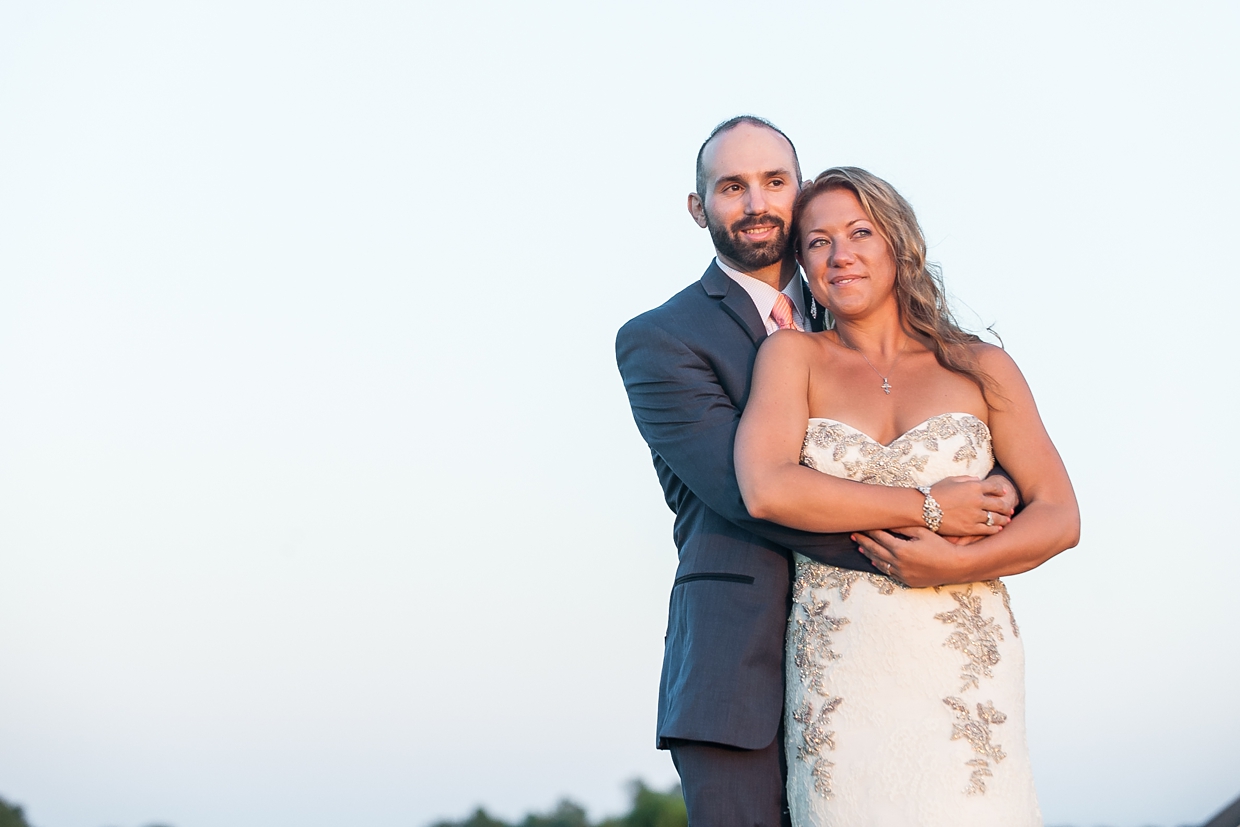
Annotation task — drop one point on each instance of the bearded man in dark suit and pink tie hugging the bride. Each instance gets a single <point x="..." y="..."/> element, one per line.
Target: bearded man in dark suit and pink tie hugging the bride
<point x="686" y="368"/>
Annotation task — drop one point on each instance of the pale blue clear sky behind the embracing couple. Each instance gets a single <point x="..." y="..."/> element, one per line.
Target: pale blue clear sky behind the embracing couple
<point x="321" y="500"/>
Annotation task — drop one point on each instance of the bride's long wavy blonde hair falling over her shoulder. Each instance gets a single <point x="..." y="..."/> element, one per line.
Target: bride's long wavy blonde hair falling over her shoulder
<point x="919" y="292"/>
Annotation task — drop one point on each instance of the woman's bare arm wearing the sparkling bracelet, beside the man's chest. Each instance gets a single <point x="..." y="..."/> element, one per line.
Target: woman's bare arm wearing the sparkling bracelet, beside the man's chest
<point x="776" y="485"/>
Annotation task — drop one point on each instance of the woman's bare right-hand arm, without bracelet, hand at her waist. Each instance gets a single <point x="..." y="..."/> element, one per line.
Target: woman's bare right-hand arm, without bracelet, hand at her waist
<point x="1048" y="525"/>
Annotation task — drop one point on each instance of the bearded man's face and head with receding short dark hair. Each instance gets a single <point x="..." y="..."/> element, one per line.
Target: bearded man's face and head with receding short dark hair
<point x="751" y="189"/>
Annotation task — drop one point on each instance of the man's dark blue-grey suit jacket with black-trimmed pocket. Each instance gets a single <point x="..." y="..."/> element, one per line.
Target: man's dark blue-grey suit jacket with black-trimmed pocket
<point x="686" y="366"/>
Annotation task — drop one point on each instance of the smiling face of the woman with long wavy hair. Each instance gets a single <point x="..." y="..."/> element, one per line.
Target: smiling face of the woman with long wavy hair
<point x="850" y="266"/>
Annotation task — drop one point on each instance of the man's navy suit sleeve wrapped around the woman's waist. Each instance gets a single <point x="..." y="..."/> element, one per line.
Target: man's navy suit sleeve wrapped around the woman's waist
<point x="686" y="418"/>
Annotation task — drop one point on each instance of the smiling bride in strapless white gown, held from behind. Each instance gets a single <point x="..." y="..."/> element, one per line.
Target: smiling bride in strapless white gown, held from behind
<point x="906" y="690"/>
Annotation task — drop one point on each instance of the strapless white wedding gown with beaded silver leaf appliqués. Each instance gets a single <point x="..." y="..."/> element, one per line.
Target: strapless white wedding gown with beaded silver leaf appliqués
<point x="906" y="707"/>
